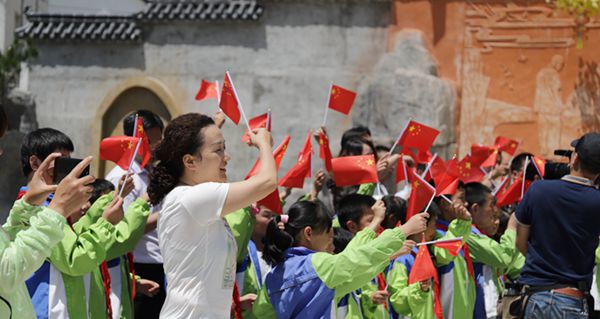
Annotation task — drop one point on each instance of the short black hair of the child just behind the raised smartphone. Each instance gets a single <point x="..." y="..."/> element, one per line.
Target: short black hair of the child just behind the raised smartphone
<point x="41" y="143"/>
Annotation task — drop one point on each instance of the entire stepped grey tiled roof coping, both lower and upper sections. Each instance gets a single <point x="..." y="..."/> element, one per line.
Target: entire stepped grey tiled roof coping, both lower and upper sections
<point x="78" y="27"/>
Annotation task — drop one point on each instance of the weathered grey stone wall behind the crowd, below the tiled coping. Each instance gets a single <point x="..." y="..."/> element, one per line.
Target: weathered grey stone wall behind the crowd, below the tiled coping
<point x="284" y="61"/>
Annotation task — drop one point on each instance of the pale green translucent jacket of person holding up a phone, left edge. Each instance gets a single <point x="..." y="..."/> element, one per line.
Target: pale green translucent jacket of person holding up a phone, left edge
<point x="26" y="240"/>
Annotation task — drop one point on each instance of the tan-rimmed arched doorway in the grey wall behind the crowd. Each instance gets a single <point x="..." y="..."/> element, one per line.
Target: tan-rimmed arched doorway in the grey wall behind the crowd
<point x="134" y="94"/>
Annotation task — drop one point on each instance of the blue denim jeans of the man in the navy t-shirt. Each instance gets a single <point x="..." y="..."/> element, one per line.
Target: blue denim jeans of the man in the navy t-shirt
<point x="551" y="305"/>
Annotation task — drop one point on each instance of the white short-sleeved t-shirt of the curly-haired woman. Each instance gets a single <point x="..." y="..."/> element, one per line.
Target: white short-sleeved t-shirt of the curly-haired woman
<point x="199" y="252"/>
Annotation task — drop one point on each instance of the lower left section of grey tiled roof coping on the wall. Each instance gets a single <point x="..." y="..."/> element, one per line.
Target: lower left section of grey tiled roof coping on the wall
<point x="80" y="27"/>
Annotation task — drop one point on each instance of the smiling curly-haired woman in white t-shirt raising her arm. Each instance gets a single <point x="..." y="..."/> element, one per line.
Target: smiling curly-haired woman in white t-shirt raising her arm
<point x="198" y="248"/>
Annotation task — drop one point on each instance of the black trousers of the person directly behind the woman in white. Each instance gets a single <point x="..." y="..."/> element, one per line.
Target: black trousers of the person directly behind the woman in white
<point x="149" y="307"/>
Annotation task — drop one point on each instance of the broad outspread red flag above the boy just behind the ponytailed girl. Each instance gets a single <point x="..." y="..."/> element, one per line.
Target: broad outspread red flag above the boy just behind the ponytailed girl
<point x="354" y="170"/>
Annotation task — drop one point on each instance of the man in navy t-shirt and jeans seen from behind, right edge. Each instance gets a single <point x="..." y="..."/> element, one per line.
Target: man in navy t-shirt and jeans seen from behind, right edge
<point x="558" y="229"/>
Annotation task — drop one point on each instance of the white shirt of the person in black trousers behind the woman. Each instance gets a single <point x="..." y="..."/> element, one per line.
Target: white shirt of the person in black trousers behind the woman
<point x="147" y="250"/>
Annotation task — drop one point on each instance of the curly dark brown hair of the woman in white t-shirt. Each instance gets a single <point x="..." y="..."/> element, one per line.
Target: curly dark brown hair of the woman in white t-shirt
<point x="182" y="136"/>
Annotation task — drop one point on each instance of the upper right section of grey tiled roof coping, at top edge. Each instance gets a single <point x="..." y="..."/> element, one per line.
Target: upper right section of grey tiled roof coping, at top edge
<point x="189" y="10"/>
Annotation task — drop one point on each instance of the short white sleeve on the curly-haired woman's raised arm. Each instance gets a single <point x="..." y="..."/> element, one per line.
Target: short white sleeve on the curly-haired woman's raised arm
<point x="205" y="201"/>
